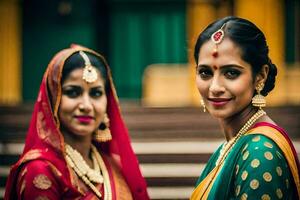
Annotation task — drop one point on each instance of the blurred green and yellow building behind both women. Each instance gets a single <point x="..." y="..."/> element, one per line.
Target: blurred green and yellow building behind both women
<point x="148" y="43"/>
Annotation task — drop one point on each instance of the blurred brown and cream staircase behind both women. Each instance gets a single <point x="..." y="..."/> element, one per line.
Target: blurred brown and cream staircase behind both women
<point x="172" y="144"/>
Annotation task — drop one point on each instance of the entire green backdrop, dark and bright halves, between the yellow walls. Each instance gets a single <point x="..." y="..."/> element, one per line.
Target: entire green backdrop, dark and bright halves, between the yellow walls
<point x="131" y="34"/>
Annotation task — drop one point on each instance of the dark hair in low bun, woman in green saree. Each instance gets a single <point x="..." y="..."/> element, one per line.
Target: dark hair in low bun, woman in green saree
<point x="251" y="41"/>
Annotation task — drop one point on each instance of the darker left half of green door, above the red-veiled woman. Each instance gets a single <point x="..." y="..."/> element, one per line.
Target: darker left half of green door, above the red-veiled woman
<point x="49" y="26"/>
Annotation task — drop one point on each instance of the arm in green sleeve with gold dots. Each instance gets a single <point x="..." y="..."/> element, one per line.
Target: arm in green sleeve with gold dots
<point x="262" y="171"/>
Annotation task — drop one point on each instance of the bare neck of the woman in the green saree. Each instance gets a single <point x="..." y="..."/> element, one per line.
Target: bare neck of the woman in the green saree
<point x="233" y="124"/>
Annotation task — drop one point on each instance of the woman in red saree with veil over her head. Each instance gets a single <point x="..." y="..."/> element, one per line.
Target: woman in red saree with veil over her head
<point x="77" y="145"/>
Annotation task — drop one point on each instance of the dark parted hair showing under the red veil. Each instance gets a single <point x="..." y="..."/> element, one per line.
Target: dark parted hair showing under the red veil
<point x="75" y="61"/>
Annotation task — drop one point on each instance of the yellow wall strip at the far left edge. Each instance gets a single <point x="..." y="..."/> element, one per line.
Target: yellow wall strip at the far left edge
<point x="10" y="52"/>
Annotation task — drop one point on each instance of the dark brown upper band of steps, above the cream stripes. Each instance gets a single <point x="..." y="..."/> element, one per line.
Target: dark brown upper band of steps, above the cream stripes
<point x="152" y="123"/>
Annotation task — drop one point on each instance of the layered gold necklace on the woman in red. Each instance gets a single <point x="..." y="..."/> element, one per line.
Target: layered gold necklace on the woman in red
<point x="88" y="175"/>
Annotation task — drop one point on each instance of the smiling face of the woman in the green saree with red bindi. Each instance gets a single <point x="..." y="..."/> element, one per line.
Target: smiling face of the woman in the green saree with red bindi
<point x="224" y="81"/>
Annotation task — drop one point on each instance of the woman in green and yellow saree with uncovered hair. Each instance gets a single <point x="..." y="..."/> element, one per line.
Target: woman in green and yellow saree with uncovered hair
<point x="234" y="73"/>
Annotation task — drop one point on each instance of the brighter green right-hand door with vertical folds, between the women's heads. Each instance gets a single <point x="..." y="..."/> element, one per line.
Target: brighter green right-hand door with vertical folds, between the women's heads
<point x="142" y="33"/>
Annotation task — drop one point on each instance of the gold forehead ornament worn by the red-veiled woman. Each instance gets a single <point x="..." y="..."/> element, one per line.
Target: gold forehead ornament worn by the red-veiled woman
<point x="89" y="72"/>
